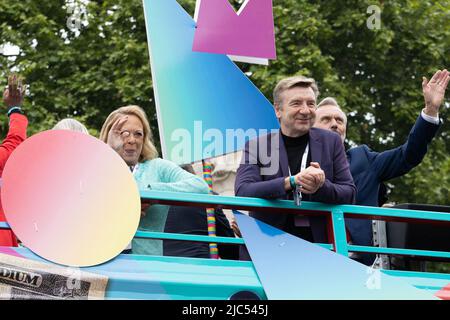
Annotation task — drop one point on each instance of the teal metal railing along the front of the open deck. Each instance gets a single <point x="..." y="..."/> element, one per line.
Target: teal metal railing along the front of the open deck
<point x="336" y="213"/>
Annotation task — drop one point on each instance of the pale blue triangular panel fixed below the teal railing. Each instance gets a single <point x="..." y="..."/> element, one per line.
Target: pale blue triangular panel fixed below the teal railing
<point x="291" y="268"/>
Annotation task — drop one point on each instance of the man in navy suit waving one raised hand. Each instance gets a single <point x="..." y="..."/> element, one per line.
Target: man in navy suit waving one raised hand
<point x="369" y="168"/>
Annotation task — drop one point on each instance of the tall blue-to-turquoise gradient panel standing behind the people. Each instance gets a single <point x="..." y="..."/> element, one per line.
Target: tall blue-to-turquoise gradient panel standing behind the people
<point x="201" y="98"/>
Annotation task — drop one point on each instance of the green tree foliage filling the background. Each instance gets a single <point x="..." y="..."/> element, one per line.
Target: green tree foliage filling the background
<point x="375" y="74"/>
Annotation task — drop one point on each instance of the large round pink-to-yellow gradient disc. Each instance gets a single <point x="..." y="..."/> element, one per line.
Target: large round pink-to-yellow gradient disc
<point x="70" y="198"/>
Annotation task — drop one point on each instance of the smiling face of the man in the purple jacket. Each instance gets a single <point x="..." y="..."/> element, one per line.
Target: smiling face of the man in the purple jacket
<point x="296" y="111"/>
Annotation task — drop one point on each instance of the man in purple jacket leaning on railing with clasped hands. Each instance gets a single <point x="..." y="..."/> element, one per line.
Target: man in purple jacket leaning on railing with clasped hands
<point x="296" y="157"/>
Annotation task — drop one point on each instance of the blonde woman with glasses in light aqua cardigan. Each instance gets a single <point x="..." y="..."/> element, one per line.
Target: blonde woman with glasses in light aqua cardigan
<point x="127" y="131"/>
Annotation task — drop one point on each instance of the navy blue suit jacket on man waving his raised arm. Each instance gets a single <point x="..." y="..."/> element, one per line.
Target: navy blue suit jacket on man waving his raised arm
<point x="369" y="169"/>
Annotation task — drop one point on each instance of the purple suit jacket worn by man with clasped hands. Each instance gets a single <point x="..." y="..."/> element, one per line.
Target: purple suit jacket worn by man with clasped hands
<point x="253" y="180"/>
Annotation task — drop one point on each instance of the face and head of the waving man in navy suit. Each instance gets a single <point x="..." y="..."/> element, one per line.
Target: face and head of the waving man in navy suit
<point x="332" y="118"/>
